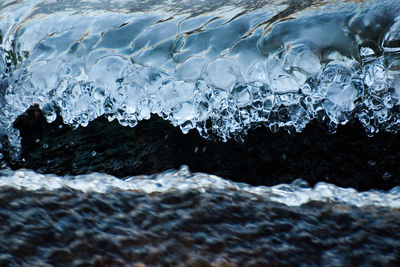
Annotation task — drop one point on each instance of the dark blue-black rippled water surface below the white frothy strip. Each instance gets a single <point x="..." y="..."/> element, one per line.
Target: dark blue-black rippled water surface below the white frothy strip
<point x="190" y="228"/>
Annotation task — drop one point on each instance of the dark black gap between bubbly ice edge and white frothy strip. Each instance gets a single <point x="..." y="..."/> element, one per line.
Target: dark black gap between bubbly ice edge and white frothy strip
<point x="348" y="158"/>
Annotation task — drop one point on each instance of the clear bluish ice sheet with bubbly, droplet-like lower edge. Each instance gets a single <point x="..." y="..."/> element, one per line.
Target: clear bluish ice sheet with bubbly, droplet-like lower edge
<point x="235" y="65"/>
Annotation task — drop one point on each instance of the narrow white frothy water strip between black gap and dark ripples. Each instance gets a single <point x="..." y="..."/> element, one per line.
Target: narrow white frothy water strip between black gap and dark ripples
<point x="294" y="194"/>
